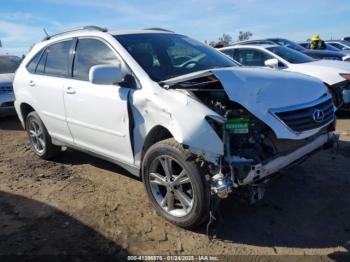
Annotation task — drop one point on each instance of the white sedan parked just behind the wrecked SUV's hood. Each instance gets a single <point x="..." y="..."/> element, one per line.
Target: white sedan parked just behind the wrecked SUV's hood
<point x="335" y="74"/>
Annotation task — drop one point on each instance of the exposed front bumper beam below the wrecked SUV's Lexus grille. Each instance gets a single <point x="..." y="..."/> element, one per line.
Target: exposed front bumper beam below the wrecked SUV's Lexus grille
<point x="261" y="171"/>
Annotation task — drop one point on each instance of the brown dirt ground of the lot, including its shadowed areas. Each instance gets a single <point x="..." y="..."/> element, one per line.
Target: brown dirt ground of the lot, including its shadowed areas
<point x="78" y="205"/>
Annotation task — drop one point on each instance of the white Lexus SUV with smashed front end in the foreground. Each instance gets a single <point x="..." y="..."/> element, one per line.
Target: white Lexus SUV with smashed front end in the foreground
<point x="181" y="115"/>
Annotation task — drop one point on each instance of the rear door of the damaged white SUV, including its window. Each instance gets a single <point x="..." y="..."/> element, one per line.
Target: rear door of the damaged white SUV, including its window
<point x="48" y="71"/>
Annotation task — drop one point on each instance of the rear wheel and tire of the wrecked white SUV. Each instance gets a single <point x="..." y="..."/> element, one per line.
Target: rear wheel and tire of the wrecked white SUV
<point x="39" y="138"/>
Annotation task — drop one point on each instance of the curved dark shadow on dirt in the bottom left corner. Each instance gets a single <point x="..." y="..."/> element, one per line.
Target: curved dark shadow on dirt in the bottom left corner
<point x="31" y="230"/>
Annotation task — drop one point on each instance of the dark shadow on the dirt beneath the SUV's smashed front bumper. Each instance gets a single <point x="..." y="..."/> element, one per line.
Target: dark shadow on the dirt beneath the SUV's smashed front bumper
<point x="307" y="206"/>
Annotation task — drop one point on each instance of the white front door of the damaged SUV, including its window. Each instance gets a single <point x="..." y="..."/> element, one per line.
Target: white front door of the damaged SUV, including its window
<point x="97" y="115"/>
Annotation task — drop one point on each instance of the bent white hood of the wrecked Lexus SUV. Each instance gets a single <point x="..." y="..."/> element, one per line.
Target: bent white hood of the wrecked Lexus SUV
<point x="261" y="90"/>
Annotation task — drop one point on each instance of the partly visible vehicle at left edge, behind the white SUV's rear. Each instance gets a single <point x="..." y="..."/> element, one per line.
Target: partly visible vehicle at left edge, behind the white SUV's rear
<point x="8" y="66"/>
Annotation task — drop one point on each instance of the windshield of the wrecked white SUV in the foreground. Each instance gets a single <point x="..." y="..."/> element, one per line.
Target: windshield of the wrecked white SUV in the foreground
<point x="165" y="56"/>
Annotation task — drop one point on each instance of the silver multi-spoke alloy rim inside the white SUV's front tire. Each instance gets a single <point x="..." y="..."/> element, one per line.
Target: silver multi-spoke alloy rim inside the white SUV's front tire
<point x="171" y="186"/>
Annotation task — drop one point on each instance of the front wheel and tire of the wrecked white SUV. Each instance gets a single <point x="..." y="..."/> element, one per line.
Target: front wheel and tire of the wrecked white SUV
<point x="175" y="186"/>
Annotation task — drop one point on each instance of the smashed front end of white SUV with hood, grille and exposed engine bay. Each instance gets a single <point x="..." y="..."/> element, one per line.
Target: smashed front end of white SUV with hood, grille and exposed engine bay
<point x="262" y="132"/>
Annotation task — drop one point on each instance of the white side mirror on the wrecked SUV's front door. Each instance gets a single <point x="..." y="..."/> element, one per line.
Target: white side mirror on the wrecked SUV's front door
<point x="106" y="74"/>
